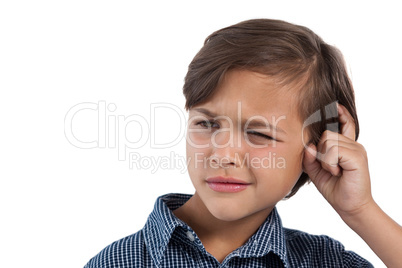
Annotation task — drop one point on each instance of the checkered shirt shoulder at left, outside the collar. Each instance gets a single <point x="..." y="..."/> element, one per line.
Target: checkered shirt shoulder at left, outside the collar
<point x="129" y="251"/>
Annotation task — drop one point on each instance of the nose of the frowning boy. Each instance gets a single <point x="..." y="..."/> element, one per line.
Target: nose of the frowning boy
<point x="227" y="149"/>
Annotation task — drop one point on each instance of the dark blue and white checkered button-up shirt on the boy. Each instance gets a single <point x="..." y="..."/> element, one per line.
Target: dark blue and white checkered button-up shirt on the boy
<point x="166" y="241"/>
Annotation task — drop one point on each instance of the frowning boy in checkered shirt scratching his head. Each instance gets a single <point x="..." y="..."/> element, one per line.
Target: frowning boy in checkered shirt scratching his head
<point x="255" y="94"/>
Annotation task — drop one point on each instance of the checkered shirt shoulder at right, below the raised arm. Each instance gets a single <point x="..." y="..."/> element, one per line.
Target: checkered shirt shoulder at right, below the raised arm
<point x="315" y="250"/>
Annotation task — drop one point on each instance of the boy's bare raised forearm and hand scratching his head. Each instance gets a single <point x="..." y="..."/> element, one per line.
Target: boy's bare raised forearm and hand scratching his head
<point x="338" y="167"/>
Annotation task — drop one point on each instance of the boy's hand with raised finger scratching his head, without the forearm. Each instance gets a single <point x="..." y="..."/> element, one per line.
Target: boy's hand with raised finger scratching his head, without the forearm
<point x="338" y="167"/>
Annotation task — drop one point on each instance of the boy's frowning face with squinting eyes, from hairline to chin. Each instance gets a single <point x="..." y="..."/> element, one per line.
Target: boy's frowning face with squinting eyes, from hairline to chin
<point x="229" y="147"/>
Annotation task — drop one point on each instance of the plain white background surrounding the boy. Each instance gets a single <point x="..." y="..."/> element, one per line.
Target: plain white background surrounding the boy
<point x="60" y="205"/>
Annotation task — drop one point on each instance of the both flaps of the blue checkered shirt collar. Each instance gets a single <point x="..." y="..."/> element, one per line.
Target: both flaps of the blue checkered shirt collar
<point x="162" y="222"/>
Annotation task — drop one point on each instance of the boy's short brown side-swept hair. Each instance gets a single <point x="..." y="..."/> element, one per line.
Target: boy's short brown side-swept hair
<point x="292" y="54"/>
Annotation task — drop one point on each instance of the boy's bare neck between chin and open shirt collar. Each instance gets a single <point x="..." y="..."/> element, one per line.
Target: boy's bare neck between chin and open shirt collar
<point x="219" y="237"/>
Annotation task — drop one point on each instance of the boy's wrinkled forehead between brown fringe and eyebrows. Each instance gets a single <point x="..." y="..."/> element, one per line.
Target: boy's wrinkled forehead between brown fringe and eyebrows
<point x="246" y="96"/>
